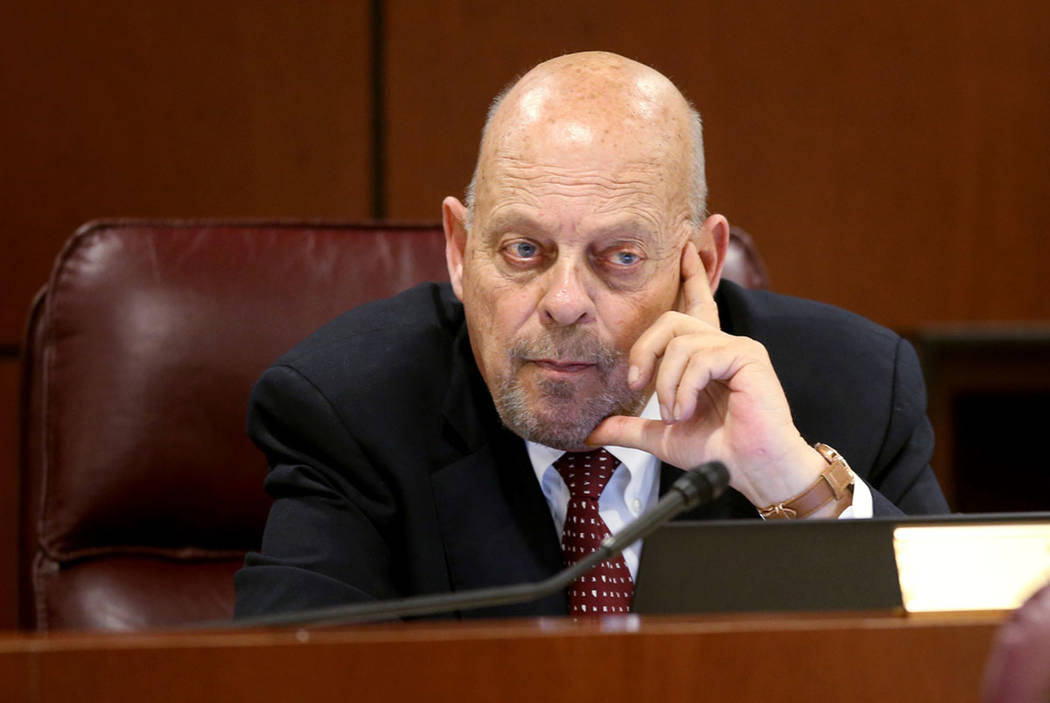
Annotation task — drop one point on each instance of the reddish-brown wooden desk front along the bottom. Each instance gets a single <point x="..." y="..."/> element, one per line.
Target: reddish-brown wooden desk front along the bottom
<point x="746" y="658"/>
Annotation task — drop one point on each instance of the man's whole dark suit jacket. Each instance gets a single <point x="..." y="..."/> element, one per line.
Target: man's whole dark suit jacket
<point x="393" y="476"/>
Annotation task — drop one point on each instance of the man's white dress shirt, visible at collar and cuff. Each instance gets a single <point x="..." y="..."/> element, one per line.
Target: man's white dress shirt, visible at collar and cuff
<point x="634" y="488"/>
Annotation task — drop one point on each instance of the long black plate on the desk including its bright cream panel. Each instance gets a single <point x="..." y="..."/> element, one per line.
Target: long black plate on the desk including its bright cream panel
<point x="914" y="565"/>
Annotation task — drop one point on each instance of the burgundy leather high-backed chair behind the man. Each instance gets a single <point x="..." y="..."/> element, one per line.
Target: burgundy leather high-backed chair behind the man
<point x="141" y="493"/>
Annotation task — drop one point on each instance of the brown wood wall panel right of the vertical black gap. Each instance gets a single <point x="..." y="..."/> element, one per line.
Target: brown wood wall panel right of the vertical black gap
<point x="890" y="158"/>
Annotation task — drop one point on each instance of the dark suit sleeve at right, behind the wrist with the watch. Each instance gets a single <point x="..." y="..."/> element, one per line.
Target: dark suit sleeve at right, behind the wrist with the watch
<point x="902" y="479"/>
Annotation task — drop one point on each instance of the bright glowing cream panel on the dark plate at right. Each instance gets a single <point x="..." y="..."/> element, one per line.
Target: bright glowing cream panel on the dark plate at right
<point x="971" y="567"/>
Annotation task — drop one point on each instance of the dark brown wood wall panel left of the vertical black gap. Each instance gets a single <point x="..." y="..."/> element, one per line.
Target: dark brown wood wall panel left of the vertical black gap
<point x="175" y="109"/>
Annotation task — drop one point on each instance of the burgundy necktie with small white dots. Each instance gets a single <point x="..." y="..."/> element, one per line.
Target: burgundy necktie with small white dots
<point x="607" y="588"/>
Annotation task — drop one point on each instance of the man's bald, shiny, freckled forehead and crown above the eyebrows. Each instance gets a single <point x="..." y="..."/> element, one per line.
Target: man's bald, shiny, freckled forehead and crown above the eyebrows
<point x="606" y="146"/>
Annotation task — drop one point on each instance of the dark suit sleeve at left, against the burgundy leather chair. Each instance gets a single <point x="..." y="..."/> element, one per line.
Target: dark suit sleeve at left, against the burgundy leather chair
<point x="329" y="539"/>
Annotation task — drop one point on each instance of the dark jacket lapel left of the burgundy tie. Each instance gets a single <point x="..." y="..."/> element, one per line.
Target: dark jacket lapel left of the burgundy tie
<point x="495" y="522"/>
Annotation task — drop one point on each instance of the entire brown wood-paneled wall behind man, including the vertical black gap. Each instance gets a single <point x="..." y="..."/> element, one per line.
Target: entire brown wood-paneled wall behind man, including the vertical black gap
<point x="890" y="158"/>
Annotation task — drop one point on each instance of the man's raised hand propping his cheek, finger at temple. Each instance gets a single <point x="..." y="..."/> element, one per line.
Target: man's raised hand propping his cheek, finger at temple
<point x="720" y="399"/>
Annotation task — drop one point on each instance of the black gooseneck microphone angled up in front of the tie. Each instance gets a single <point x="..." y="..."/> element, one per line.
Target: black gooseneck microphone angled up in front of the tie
<point x="701" y="485"/>
